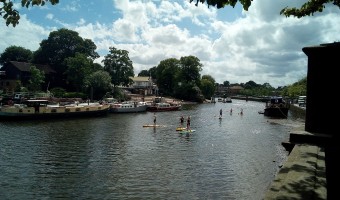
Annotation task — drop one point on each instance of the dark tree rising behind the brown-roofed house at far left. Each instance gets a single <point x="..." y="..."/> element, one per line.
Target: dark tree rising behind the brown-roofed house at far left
<point x="16" y="53"/>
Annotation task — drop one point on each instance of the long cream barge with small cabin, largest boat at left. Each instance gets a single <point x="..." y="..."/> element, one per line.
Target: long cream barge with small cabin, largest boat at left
<point x="42" y="109"/>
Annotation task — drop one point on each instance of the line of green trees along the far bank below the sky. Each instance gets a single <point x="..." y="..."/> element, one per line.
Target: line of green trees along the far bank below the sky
<point x="72" y="58"/>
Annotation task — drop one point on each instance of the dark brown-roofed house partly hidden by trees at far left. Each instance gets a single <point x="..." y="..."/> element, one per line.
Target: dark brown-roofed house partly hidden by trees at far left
<point x="14" y="72"/>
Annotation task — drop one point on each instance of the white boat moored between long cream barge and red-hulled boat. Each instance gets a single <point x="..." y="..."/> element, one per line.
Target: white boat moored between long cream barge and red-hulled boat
<point x="128" y="107"/>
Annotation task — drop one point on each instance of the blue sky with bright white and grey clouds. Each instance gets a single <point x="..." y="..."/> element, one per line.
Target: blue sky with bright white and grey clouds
<point x="233" y="45"/>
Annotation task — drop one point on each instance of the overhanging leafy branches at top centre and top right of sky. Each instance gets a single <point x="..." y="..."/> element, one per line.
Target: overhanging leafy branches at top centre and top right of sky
<point x="307" y="9"/>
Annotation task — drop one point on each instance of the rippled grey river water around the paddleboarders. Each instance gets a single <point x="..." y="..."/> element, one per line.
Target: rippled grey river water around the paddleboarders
<point x="114" y="157"/>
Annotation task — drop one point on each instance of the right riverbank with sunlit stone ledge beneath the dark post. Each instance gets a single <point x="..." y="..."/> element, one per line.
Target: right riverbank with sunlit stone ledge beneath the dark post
<point x="310" y="169"/>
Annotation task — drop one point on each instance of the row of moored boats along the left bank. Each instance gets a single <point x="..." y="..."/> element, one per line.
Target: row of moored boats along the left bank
<point x="43" y="109"/>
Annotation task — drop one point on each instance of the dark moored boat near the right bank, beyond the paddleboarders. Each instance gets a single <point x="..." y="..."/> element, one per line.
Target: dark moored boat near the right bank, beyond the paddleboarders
<point x="276" y="107"/>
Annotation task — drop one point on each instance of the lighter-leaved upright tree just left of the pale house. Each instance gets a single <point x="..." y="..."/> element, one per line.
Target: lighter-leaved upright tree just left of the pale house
<point x="118" y="64"/>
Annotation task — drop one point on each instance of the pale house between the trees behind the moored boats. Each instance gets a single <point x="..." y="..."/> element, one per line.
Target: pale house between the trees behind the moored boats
<point x="143" y="85"/>
